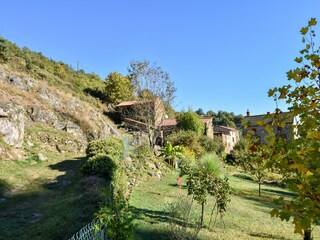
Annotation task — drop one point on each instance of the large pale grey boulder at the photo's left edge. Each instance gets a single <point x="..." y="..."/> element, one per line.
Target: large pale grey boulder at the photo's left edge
<point x="12" y="123"/>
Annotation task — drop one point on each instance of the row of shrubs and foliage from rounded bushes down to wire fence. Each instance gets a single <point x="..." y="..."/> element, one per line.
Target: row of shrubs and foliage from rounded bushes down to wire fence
<point x="114" y="215"/>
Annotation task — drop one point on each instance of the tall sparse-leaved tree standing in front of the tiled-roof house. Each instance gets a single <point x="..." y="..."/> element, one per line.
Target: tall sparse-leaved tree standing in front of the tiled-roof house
<point x="154" y="90"/>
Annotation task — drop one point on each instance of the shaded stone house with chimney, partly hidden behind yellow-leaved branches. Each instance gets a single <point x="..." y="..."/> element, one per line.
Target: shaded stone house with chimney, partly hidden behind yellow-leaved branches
<point x="253" y="124"/>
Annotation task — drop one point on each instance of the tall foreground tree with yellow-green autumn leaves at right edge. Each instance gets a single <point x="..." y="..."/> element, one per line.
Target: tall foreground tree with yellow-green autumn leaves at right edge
<point x="298" y="157"/>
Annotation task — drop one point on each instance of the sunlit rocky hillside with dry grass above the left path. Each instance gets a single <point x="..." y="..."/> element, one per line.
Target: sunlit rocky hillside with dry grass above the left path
<point x="70" y="122"/>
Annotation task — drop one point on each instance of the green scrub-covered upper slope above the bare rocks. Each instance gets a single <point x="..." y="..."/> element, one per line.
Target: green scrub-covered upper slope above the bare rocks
<point x="58" y="74"/>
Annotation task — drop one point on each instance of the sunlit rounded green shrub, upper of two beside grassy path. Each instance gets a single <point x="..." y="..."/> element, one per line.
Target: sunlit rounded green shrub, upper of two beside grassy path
<point x="110" y="146"/>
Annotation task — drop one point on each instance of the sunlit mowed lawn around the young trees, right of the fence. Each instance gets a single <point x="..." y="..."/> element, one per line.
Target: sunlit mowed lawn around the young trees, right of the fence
<point x="247" y="216"/>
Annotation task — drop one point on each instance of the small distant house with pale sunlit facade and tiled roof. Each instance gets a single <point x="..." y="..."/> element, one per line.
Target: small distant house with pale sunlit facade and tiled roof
<point x="229" y="136"/>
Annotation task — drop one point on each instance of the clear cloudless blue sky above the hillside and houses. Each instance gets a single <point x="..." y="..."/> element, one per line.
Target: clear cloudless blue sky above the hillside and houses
<point x="222" y="55"/>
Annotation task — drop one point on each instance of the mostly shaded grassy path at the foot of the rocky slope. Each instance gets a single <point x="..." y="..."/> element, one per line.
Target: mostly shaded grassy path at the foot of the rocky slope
<point x="43" y="200"/>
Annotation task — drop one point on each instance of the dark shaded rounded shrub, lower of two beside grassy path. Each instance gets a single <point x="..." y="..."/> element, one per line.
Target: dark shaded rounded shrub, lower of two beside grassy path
<point x="102" y="165"/>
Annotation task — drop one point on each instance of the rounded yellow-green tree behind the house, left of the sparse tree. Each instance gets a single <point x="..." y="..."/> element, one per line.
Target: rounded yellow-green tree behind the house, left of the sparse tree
<point x="118" y="88"/>
